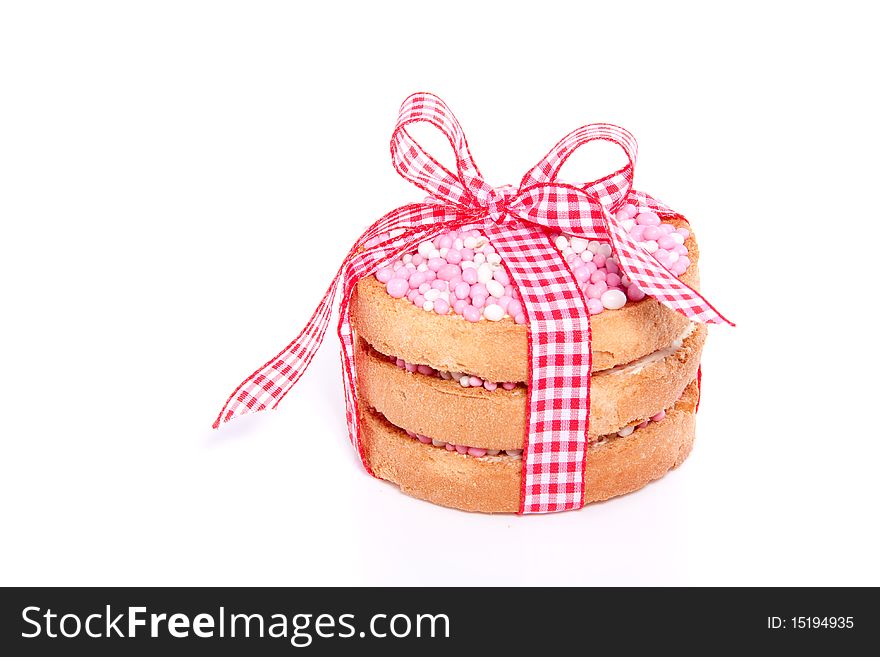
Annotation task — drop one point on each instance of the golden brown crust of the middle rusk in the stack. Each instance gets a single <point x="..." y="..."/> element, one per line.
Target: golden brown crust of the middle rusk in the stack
<point x="442" y="409"/>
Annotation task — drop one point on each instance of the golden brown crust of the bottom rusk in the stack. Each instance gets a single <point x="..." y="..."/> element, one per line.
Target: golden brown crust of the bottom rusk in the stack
<point x="615" y="466"/>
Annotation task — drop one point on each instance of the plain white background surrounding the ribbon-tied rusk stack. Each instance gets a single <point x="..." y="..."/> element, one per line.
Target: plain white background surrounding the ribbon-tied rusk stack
<point x="180" y="180"/>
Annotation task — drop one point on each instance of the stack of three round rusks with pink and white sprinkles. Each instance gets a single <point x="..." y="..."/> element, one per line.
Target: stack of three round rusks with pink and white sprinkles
<point x="442" y="369"/>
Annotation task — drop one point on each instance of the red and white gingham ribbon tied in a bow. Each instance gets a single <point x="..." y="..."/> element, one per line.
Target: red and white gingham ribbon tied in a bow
<point x="520" y="223"/>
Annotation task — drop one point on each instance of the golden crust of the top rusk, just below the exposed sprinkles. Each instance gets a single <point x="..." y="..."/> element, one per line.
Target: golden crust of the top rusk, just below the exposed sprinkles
<point x="498" y="351"/>
